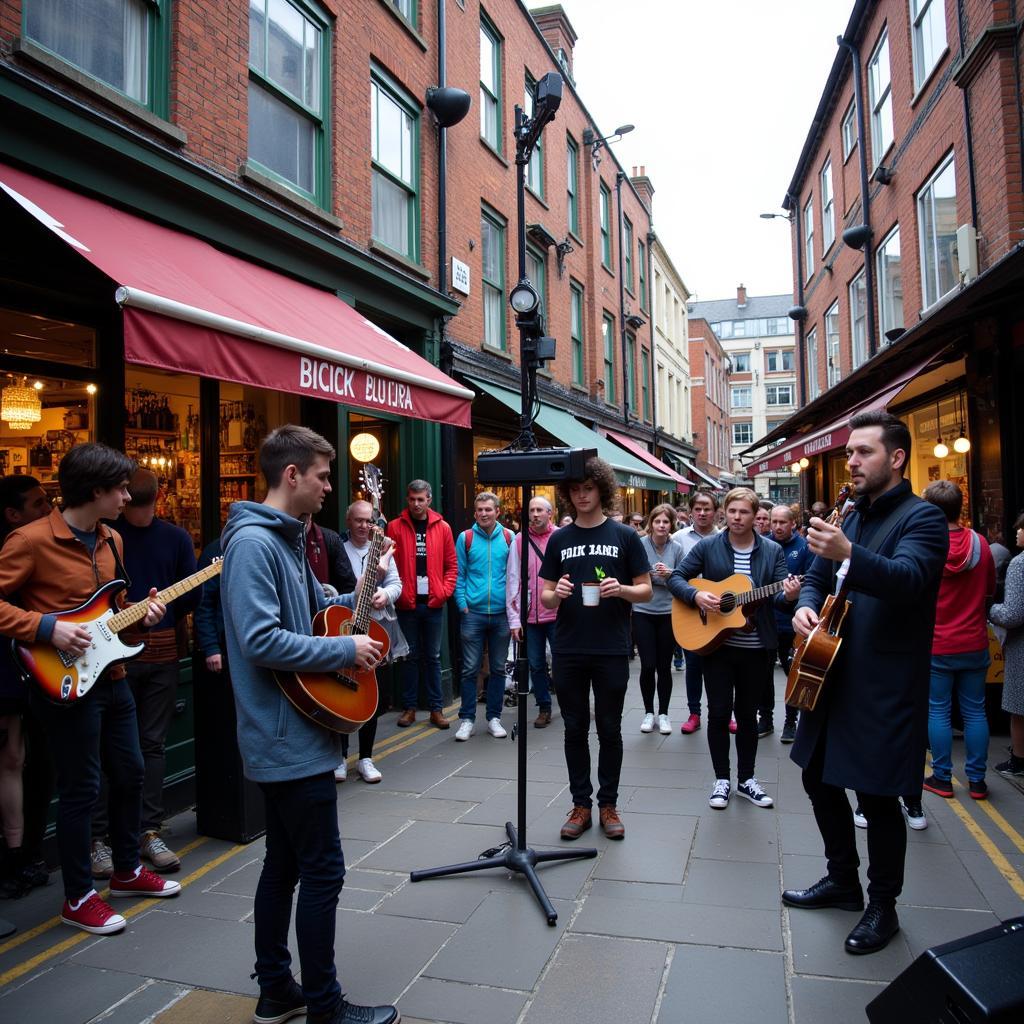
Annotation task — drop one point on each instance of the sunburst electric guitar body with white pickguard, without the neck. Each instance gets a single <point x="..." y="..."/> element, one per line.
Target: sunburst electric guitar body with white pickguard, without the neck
<point x="66" y="680"/>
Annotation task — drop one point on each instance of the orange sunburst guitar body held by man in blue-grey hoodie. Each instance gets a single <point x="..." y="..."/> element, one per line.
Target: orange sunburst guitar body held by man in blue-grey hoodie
<point x="339" y="701"/>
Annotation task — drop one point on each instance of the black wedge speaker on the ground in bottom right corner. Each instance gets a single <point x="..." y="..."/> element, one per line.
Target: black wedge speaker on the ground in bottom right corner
<point x="979" y="978"/>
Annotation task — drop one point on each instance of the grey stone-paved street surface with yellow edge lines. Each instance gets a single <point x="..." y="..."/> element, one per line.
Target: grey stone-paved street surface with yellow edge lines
<point x="680" y="923"/>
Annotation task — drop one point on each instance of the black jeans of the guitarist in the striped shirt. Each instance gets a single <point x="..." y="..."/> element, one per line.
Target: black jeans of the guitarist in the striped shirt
<point x="735" y="680"/>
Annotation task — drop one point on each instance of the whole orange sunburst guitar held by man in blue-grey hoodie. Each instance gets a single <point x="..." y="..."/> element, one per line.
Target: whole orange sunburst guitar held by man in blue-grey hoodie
<point x="345" y="700"/>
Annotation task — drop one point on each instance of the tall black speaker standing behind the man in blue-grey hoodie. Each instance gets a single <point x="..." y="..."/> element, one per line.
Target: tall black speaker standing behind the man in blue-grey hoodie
<point x="229" y="806"/>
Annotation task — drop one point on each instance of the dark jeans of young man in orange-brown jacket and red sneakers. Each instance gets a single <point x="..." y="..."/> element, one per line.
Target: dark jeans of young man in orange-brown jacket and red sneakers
<point x="99" y="730"/>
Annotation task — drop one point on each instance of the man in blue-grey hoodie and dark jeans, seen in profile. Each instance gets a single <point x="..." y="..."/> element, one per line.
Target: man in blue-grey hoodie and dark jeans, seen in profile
<point x="270" y="598"/>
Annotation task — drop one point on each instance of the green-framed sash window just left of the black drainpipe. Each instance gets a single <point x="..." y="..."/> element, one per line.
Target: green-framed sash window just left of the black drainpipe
<point x="395" y="166"/>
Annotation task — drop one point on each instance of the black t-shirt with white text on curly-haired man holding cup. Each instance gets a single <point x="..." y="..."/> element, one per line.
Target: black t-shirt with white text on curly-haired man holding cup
<point x="585" y="553"/>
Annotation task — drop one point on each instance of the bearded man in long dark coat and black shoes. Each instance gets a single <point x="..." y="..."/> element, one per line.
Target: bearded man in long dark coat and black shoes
<point x="870" y="730"/>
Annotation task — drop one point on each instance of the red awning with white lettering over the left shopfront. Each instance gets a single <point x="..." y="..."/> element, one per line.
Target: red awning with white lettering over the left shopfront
<point x="191" y="308"/>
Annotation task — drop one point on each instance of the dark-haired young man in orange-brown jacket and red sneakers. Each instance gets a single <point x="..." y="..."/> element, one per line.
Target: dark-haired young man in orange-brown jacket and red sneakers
<point x="56" y="565"/>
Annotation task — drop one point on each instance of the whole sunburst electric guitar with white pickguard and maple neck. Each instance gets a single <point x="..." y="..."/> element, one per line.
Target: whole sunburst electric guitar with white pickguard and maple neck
<point x="64" y="678"/>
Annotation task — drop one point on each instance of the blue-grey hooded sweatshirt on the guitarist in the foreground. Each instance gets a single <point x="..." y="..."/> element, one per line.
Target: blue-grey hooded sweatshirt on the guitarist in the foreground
<point x="270" y="596"/>
